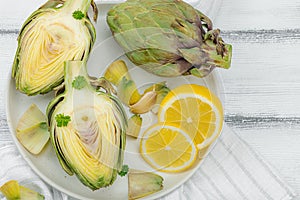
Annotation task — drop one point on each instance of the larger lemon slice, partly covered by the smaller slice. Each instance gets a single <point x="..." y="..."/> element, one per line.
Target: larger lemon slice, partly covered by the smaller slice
<point x="195" y="109"/>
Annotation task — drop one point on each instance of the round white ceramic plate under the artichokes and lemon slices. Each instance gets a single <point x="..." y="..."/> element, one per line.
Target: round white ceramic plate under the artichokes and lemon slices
<point x="46" y="164"/>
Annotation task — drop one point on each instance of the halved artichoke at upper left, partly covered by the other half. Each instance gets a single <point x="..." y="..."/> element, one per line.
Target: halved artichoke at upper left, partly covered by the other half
<point x="59" y="30"/>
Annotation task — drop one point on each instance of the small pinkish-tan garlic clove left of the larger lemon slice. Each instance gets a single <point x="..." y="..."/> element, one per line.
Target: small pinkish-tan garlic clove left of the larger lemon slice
<point x="145" y="104"/>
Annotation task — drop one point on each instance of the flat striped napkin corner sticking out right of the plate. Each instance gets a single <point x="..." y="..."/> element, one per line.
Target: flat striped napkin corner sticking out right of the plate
<point x="233" y="171"/>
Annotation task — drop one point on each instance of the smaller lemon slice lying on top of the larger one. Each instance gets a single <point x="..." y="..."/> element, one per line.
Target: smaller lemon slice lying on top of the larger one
<point x="168" y="148"/>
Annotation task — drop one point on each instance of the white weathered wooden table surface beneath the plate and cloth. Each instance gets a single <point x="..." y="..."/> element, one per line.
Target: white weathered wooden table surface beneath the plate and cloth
<point x="262" y="87"/>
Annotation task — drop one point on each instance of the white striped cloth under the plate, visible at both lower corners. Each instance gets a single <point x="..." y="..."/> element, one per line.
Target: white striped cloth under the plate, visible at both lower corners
<point x="231" y="171"/>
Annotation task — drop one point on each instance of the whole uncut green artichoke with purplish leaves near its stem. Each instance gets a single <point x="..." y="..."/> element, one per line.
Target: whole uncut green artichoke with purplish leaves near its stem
<point x="168" y="37"/>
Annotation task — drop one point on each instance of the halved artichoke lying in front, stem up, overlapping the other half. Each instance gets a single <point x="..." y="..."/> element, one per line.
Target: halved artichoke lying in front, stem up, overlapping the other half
<point x="87" y="129"/>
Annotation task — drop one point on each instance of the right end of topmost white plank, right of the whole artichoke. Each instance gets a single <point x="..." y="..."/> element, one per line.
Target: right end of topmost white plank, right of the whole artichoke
<point x="257" y="14"/>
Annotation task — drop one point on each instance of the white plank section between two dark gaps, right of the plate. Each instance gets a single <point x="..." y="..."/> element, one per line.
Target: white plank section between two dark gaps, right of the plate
<point x="264" y="78"/>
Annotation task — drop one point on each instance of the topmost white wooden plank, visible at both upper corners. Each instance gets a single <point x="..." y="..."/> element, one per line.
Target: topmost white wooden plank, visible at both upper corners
<point x="234" y="14"/>
